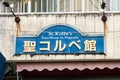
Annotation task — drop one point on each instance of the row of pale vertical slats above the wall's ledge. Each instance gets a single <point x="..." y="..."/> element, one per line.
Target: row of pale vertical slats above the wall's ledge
<point x="33" y="6"/>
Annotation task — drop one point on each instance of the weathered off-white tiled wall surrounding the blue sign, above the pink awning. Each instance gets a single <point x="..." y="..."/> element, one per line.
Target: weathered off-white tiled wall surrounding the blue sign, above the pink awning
<point x="32" y="24"/>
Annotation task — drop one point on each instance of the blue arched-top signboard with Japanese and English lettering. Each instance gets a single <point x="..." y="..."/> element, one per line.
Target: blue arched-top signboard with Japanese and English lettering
<point x="60" y="39"/>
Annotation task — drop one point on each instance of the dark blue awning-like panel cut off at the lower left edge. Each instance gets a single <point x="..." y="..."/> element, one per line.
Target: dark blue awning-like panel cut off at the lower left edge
<point x="2" y="66"/>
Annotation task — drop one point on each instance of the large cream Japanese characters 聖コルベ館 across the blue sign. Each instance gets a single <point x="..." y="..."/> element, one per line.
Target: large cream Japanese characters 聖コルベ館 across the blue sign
<point x="90" y="45"/>
